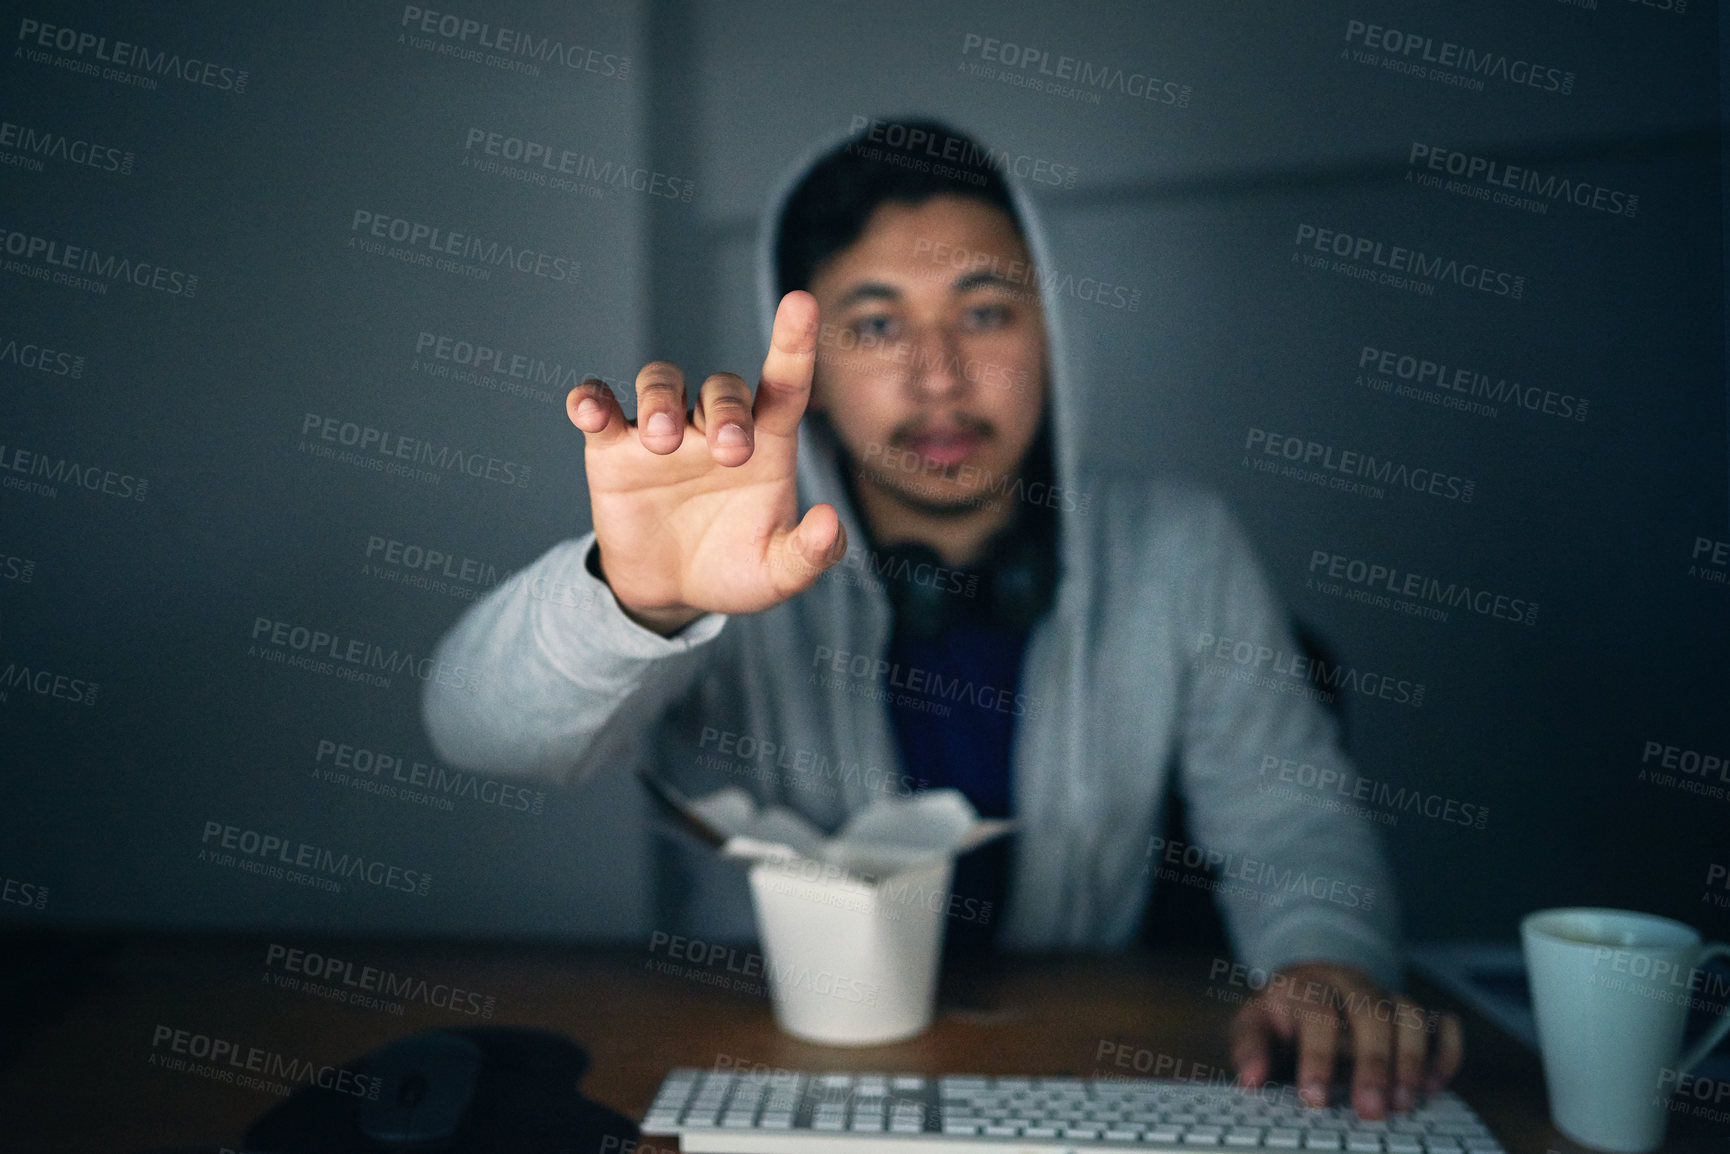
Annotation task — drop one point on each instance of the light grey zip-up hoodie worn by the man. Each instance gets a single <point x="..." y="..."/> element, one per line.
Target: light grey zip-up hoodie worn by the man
<point x="1165" y="664"/>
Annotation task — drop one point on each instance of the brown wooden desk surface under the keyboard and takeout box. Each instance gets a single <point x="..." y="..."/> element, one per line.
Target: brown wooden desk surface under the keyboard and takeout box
<point x="77" y="1068"/>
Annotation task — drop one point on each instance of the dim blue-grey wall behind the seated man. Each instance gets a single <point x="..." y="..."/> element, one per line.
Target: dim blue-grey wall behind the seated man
<point x="103" y="804"/>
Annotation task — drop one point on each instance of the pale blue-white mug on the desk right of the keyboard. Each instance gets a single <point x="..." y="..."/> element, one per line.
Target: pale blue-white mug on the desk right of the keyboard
<point x="1611" y="994"/>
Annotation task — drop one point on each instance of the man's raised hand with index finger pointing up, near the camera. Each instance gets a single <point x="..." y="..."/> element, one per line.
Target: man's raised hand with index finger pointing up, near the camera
<point x="702" y="515"/>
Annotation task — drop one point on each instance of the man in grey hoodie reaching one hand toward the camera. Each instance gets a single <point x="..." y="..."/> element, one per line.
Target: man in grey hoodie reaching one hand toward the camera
<point x="1049" y="641"/>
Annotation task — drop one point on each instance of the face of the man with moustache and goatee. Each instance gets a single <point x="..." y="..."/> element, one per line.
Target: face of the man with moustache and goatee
<point x="932" y="352"/>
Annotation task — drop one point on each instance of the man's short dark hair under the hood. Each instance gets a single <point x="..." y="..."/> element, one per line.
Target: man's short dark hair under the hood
<point x="906" y="162"/>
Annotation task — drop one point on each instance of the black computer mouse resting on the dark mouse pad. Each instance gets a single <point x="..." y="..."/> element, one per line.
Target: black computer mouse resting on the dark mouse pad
<point x="425" y="1087"/>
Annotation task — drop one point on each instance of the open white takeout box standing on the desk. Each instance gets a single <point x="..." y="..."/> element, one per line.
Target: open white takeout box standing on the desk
<point x="852" y="925"/>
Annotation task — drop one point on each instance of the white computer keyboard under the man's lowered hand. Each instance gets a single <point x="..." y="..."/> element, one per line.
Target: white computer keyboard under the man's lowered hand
<point x="785" y="1113"/>
